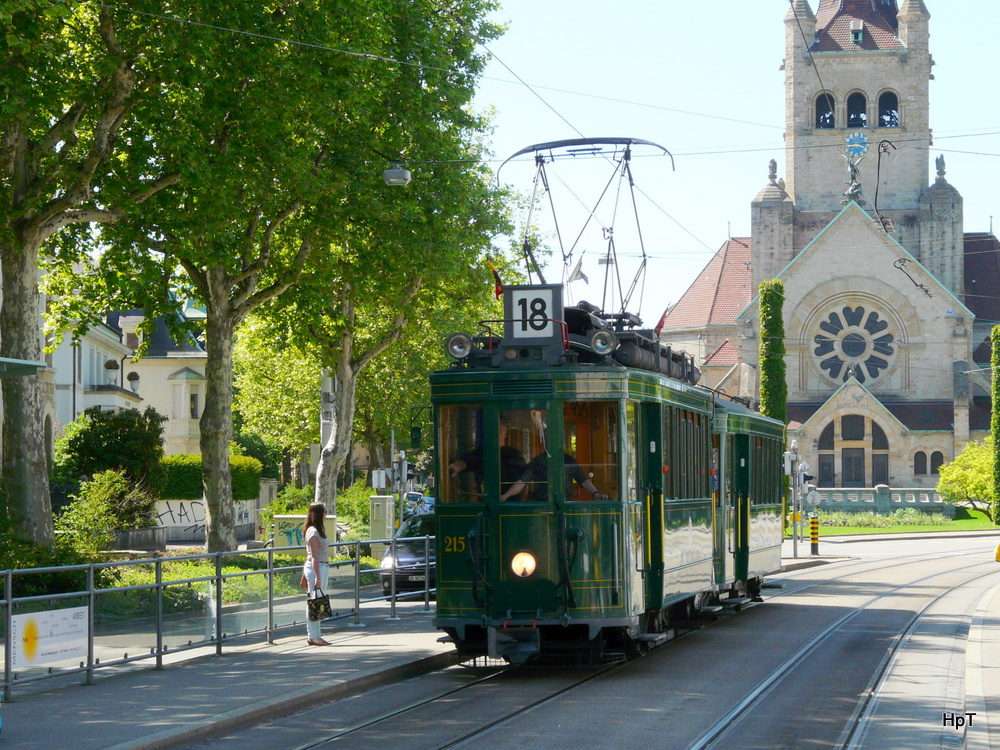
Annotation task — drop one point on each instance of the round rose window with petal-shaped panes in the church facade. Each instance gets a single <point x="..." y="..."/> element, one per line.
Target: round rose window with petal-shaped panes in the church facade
<point x="854" y="341"/>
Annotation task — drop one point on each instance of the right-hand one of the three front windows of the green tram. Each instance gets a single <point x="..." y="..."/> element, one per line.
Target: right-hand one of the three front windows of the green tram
<point x="590" y="447"/>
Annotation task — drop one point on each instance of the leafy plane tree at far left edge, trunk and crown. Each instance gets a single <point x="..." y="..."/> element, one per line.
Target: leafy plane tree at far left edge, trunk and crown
<point x="67" y="93"/>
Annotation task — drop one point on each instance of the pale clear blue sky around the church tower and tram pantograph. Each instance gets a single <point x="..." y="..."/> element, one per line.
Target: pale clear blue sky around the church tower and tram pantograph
<point x="702" y="80"/>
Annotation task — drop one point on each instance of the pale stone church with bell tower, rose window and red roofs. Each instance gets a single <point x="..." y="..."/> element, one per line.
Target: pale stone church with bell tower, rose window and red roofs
<point x="888" y="302"/>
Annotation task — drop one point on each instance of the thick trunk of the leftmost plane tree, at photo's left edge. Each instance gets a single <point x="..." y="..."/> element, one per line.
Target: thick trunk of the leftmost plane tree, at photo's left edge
<point x="25" y="459"/>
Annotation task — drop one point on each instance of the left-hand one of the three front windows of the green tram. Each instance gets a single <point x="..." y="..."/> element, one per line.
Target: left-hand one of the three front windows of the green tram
<point x="460" y="430"/>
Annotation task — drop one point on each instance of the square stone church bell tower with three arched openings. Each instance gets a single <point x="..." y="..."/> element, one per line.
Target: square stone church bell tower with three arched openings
<point x="857" y="78"/>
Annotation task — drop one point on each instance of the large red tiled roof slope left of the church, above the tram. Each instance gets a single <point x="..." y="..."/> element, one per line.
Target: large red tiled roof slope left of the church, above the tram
<point x="720" y="292"/>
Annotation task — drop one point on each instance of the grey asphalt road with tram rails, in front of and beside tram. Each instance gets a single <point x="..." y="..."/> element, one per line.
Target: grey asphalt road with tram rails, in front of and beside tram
<point x="868" y="651"/>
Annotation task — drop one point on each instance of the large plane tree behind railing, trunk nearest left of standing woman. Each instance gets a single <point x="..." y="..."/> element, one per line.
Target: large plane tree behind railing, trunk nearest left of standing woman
<point x="278" y="121"/>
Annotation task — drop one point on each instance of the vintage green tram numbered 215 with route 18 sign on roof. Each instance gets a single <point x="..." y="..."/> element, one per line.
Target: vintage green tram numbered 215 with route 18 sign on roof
<point x="590" y="494"/>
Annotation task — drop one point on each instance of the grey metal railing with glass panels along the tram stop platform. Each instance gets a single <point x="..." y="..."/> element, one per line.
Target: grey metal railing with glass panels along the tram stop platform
<point x="114" y="613"/>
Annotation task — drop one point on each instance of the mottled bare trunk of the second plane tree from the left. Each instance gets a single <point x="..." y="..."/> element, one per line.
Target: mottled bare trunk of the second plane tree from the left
<point x="217" y="419"/>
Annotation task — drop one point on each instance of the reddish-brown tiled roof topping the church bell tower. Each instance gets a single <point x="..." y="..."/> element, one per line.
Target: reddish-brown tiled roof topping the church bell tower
<point x="836" y="19"/>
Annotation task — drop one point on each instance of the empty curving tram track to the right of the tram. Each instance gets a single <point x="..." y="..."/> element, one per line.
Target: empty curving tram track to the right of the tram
<point x="719" y="734"/>
